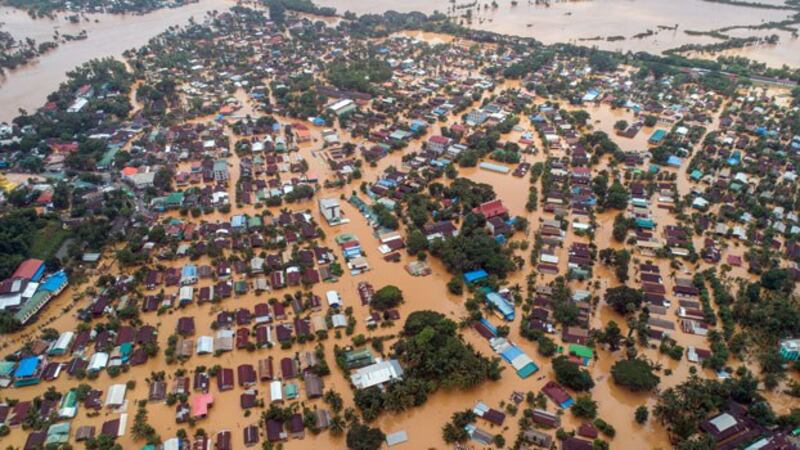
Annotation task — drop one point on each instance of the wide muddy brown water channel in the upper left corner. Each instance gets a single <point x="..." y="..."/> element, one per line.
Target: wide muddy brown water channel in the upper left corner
<point x="108" y="35"/>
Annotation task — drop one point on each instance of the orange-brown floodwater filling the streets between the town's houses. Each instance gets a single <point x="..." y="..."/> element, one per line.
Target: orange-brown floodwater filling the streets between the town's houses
<point x="423" y="424"/>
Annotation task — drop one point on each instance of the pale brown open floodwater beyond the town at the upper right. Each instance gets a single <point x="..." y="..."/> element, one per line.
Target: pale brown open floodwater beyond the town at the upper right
<point x="583" y="22"/>
